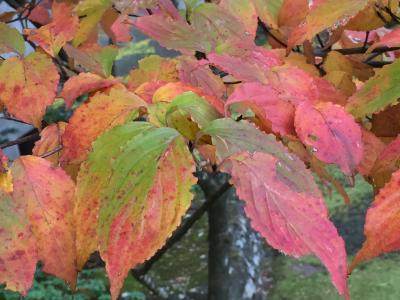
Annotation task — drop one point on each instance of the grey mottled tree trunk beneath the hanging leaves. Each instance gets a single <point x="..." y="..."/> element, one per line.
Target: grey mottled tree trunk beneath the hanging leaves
<point x="238" y="260"/>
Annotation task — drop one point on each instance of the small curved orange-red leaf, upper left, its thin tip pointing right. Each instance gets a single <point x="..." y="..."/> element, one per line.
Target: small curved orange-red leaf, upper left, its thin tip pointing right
<point x="81" y="84"/>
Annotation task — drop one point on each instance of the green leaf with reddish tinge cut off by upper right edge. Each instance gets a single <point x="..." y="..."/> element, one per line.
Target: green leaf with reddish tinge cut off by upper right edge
<point x="377" y="93"/>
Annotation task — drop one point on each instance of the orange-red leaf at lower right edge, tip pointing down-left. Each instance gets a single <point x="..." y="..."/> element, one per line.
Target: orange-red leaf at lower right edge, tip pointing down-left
<point x="382" y="223"/>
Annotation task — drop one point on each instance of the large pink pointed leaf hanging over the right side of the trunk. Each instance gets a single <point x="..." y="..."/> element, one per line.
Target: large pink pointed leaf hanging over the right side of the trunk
<point x="295" y="223"/>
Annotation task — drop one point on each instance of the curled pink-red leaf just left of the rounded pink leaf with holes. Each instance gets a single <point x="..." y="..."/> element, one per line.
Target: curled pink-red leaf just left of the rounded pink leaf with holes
<point x="279" y="112"/>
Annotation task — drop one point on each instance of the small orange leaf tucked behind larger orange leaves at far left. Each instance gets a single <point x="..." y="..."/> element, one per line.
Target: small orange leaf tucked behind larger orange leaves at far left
<point x="50" y="140"/>
